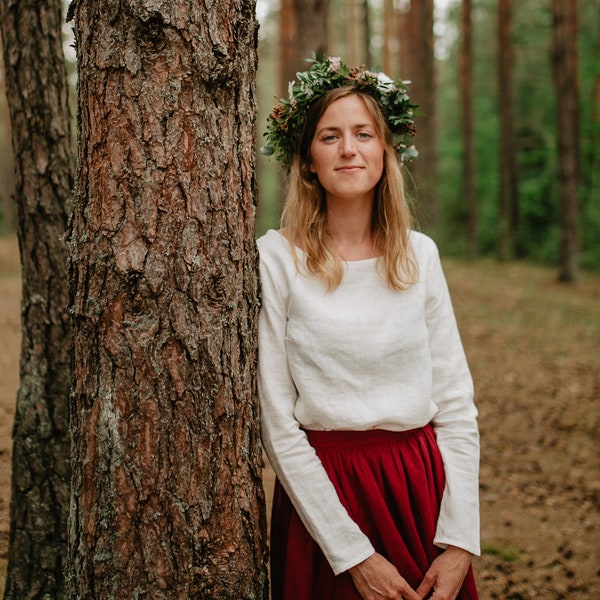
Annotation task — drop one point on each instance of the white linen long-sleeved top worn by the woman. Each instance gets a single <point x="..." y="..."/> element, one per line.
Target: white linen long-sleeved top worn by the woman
<point x="362" y="356"/>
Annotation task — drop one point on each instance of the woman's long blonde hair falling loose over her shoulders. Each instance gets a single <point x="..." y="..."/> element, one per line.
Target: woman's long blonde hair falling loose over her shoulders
<point x="304" y="216"/>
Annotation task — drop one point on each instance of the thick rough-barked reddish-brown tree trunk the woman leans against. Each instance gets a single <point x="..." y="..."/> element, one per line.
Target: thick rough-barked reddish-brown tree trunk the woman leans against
<point x="167" y="496"/>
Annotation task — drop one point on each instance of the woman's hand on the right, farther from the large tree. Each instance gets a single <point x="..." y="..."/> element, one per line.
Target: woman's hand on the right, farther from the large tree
<point x="446" y="575"/>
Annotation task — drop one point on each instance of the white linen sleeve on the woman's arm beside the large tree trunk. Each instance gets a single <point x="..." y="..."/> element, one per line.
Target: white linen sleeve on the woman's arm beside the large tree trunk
<point x="293" y="459"/>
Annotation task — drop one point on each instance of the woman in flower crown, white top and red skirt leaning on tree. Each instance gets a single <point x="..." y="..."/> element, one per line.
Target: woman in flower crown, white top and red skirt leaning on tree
<point x="366" y="398"/>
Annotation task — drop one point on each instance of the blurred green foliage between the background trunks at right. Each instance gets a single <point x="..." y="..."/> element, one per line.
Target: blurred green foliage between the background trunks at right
<point x="535" y="127"/>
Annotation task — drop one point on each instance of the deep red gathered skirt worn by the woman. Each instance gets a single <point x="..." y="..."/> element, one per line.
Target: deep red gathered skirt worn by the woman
<point x="391" y="484"/>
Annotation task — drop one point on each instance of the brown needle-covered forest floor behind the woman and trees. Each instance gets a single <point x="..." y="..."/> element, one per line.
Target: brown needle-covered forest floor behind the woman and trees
<point x="534" y="350"/>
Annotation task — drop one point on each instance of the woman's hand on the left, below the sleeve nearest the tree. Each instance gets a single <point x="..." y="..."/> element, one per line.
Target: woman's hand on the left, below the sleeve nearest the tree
<point x="377" y="579"/>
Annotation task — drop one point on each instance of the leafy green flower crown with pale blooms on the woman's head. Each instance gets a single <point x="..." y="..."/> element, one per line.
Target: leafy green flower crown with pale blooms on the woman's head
<point x="286" y="121"/>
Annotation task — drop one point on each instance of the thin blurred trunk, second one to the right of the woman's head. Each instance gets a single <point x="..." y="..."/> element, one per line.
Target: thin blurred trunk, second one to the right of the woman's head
<point x="466" y="95"/>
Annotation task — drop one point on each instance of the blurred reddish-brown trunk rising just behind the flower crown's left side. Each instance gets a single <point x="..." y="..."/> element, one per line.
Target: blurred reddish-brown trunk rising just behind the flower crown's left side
<point x="304" y="25"/>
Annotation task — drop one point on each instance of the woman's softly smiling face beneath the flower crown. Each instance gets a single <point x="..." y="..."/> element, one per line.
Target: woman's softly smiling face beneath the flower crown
<point x="346" y="151"/>
